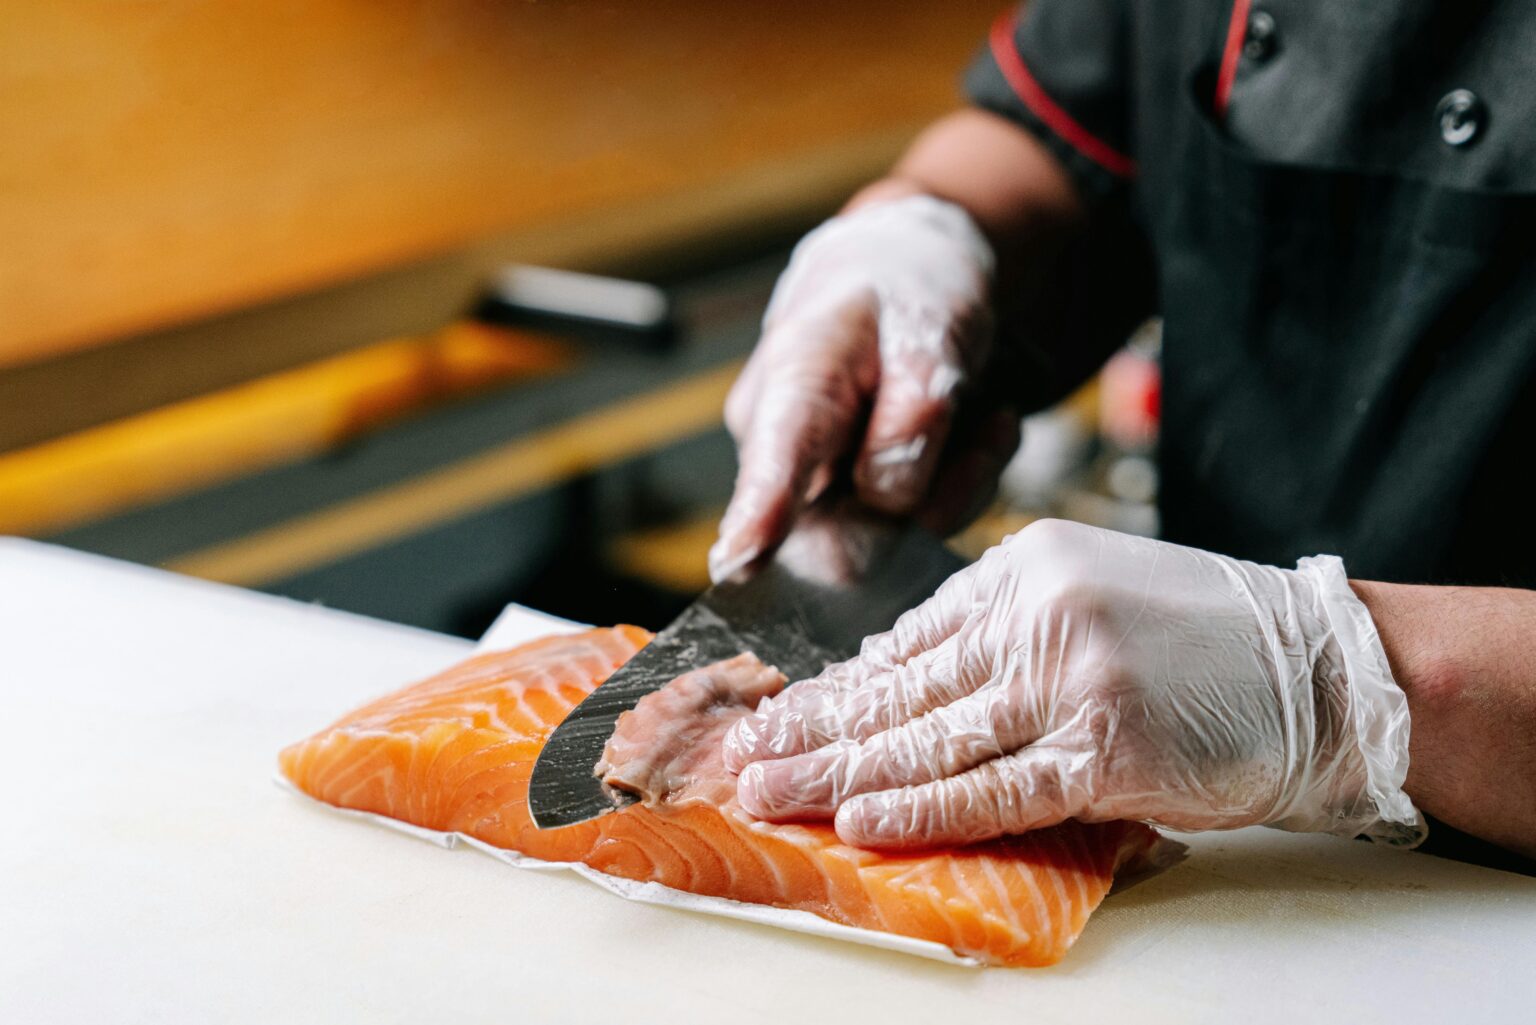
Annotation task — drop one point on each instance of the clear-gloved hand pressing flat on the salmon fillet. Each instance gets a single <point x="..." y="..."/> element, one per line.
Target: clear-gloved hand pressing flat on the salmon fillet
<point x="1076" y="672"/>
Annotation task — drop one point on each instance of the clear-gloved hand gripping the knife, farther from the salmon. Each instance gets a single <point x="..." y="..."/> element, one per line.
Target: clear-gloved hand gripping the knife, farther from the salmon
<point x="881" y="313"/>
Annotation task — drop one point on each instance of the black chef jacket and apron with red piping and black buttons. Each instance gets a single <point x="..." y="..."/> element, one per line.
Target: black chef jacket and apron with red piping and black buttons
<point x="1340" y="205"/>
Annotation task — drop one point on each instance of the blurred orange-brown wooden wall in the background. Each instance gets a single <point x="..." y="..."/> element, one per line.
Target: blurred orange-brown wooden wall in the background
<point x="174" y="161"/>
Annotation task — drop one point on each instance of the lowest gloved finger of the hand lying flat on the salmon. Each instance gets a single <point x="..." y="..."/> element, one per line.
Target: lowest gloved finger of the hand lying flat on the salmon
<point x="1022" y="792"/>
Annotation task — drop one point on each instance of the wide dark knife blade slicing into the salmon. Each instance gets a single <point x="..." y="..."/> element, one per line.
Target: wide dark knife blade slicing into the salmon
<point x="839" y="577"/>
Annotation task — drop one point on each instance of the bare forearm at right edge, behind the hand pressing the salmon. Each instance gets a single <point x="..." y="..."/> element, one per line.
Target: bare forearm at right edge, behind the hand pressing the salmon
<point x="1466" y="658"/>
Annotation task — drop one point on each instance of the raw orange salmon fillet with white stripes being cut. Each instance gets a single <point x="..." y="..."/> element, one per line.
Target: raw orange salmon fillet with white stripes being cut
<point x="455" y="752"/>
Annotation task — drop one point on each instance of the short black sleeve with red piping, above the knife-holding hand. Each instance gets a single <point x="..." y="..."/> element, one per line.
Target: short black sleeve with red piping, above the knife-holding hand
<point x="1062" y="70"/>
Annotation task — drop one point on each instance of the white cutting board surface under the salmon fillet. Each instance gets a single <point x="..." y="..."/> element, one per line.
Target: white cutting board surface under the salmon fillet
<point x="150" y="871"/>
